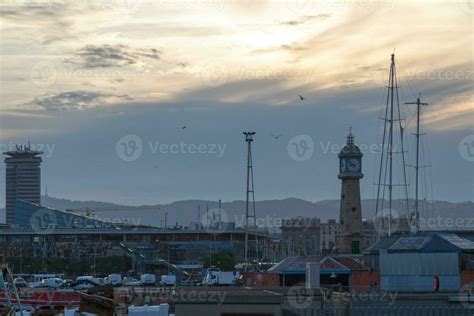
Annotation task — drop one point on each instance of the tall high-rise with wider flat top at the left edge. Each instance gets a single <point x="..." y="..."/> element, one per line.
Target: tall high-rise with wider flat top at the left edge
<point x="23" y="178"/>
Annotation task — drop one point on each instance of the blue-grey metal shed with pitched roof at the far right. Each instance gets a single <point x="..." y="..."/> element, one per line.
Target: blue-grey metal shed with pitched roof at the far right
<point x="416" y="262"/>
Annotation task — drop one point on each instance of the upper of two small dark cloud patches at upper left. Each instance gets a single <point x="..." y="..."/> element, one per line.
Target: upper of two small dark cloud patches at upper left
<point x="103" y="56"/>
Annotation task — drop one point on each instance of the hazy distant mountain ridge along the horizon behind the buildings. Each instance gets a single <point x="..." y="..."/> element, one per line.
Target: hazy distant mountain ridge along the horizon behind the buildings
<point x="269" y="212"/>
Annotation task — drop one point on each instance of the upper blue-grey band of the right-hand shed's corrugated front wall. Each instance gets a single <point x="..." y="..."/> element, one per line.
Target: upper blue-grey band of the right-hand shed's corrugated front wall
<point x="427" y="264"/>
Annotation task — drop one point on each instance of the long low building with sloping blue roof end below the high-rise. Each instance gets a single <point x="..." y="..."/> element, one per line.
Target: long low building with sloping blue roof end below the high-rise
<point x="49" y="233"/>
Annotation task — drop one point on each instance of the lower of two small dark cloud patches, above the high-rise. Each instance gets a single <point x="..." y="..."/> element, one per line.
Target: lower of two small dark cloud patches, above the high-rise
<point x="73" y="100"/>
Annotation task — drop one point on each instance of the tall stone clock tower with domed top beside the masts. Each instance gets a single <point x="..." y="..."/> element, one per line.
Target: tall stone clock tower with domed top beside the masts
<point x="350" y="239"/>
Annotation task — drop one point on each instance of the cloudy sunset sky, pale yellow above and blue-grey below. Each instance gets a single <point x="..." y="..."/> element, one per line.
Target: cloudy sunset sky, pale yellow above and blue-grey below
<point x="143" y="102"/>
